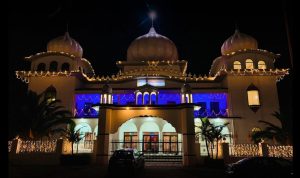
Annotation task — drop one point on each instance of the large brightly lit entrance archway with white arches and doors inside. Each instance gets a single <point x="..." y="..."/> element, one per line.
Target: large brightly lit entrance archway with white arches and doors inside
<point x="148" y="134"/>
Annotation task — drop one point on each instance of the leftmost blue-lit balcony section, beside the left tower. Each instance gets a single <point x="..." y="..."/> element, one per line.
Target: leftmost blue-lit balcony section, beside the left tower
<point x="83" y="105"/>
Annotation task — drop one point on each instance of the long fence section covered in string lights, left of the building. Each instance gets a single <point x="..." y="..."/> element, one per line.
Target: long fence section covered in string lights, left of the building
<point x="36" y="146"/>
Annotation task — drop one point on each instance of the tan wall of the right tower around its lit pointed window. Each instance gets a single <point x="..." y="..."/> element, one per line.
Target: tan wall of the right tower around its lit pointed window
<point x="238" y="103"/>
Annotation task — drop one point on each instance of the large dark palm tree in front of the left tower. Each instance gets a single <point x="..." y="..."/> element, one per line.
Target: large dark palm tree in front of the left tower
<point x="40" y="117"/>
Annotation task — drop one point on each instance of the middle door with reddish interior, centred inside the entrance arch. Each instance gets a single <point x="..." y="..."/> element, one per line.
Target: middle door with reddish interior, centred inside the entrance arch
<point x="150" y="142"/>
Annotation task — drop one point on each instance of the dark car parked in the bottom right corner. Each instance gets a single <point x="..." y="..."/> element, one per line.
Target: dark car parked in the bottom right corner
<point x="270" y="167"/>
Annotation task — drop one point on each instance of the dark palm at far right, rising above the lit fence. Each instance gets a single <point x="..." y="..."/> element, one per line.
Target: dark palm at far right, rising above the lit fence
<point x="273" y="132"/>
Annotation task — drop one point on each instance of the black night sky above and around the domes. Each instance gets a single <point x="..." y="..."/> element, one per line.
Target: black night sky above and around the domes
<point x="105" y="30"/>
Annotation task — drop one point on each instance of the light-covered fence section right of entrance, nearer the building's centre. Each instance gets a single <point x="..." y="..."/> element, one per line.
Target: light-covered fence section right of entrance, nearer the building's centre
<point x="244" y="150"/>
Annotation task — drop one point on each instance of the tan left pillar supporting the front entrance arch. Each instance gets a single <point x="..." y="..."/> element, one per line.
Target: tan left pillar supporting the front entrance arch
<point x="102" y="148"/>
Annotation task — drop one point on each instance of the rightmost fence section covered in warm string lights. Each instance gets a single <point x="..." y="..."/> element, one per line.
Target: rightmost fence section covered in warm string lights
<point x="280" y="151"/>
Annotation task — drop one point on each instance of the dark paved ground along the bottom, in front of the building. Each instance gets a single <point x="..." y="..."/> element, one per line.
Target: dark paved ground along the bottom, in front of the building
<point x="91" y="171"/>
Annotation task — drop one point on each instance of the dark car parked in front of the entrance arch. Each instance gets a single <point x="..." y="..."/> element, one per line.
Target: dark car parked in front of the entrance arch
<point x="129" y="160"/>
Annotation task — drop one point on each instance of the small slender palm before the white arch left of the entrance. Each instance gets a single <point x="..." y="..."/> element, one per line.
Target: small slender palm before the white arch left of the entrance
<point x="73" y="136"/>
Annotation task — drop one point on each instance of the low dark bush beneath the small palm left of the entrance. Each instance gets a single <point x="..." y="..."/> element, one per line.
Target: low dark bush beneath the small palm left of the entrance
<point x="76" y="159"/>
